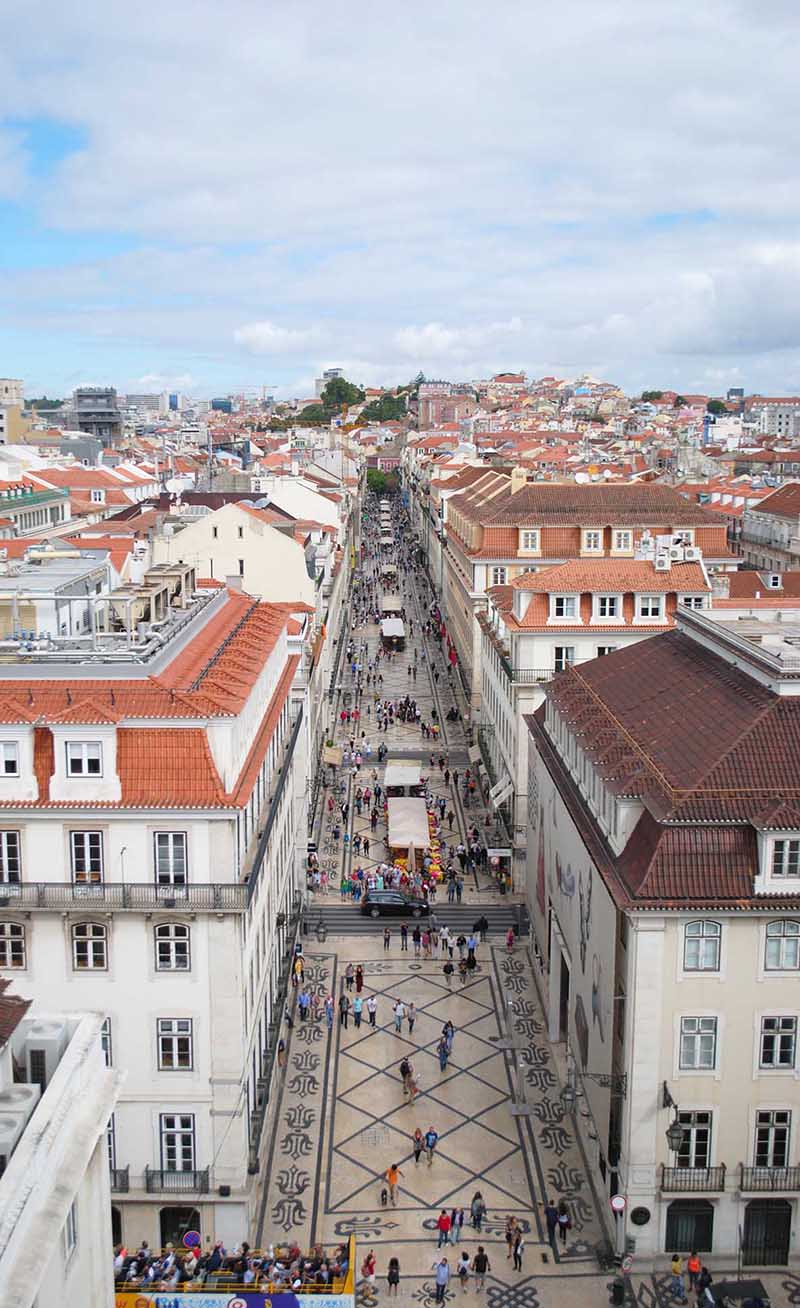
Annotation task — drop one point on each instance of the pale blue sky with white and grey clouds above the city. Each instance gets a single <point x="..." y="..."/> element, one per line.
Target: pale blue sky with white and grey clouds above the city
<point x="216" y="197"/>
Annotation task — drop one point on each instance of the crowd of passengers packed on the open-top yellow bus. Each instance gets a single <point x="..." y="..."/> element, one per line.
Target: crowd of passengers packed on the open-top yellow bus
<point x="279" y="1268"/>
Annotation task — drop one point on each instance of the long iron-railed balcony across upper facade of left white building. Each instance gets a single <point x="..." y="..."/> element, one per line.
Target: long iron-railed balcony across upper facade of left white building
<point x="129" y="898"/>
